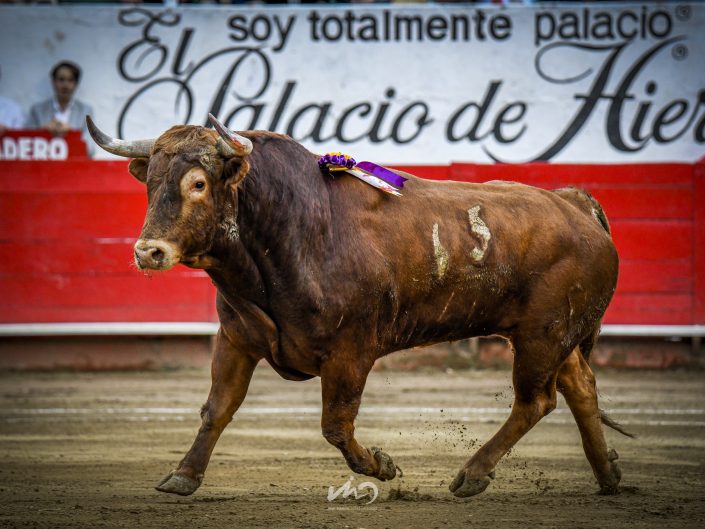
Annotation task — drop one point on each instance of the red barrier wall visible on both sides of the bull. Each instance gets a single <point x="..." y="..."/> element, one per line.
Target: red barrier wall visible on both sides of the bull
<point x="66" y="231"/>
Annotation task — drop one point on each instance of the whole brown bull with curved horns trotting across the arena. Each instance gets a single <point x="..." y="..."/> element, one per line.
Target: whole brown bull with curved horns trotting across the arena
<point x="322" y="276"/>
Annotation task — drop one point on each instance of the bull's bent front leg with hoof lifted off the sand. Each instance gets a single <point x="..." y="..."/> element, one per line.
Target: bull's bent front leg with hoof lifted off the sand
<point x="342" y="383"/>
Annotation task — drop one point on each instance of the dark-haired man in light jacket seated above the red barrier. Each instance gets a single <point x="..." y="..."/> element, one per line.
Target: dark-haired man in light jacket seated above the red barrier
<point x="62" y="112"/>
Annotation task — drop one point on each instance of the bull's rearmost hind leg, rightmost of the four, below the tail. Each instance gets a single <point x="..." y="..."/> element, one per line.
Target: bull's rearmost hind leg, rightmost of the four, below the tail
<point x="577" y="384"/>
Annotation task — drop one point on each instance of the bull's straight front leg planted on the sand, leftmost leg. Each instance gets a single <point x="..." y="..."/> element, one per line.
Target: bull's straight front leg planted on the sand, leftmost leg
<point x="231" y="371"/>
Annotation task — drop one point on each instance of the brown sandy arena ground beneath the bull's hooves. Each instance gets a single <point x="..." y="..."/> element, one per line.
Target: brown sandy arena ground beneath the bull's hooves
<point x="85" y="450"/>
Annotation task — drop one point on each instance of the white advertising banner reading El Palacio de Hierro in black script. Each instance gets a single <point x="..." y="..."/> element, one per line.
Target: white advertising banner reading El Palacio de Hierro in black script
<point x="397" y="85"/>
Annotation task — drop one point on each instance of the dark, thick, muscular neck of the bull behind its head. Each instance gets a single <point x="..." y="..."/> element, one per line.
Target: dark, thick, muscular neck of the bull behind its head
<point x="283" y="220"/>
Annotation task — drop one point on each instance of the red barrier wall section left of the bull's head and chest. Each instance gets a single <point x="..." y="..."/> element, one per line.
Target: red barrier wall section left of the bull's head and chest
<point x="66" y="232"/>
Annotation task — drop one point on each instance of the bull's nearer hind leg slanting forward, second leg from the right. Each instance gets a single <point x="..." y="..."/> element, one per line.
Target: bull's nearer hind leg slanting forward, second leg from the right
<point x="536" y="365"/>
